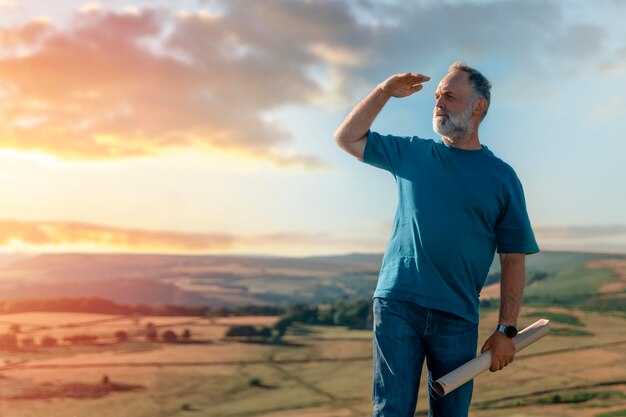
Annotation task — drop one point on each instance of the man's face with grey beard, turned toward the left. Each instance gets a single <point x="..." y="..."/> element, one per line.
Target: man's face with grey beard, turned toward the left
<point x="452" y="115"/>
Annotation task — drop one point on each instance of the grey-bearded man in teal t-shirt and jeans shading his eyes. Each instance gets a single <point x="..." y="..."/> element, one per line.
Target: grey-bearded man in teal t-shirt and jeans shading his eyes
<point x="458" y="204"/>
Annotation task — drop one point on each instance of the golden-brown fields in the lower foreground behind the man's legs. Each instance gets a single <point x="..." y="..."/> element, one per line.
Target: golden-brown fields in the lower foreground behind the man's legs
<point x="317" y="371"/>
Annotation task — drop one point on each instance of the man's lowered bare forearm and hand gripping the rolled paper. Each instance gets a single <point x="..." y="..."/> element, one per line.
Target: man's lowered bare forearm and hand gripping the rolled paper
<point x="512" y="280"/>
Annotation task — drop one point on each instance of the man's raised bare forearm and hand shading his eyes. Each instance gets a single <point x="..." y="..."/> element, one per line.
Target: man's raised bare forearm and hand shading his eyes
<point x="352" y="133"/>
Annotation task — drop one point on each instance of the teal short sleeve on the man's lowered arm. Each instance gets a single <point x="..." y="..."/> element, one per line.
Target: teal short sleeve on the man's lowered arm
<point x="514" y="233"/>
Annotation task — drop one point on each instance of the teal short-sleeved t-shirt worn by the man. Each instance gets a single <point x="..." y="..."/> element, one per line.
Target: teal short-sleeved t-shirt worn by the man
<point x="455" y="209"/>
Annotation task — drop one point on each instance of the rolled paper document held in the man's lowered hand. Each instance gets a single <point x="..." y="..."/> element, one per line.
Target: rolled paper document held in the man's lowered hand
<point x="480" y="364"/>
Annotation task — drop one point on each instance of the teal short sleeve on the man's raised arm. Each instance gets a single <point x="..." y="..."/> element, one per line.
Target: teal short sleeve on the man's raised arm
<point x="384" y="152"/>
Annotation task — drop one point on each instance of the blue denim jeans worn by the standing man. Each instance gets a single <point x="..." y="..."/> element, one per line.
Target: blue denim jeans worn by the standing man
<point x="405" y="334"/>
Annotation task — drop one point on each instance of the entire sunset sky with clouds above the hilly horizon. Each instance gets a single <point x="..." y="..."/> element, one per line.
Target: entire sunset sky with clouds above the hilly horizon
<point x="206" y="126"/>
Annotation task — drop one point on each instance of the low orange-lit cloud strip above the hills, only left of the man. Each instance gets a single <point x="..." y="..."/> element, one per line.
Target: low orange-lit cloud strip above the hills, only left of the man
<point x="52" y="236"/>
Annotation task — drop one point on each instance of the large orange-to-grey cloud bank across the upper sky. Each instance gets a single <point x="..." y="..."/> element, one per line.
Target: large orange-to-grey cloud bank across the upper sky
<point x="135" y="84"/>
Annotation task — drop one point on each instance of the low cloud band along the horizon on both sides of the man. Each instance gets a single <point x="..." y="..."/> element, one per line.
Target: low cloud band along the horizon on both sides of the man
<point x="55" y="236"/>
